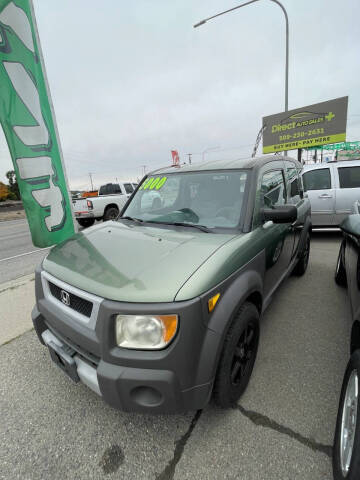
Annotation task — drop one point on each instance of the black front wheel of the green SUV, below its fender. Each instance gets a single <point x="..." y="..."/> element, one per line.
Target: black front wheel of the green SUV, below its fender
<point x="237" y="357"/>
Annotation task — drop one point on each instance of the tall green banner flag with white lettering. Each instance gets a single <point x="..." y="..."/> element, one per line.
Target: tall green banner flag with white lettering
<point x="28" y="121"/>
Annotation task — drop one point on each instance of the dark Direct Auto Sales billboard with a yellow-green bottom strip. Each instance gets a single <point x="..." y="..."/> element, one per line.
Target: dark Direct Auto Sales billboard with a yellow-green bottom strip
<point x="306" y="127"/>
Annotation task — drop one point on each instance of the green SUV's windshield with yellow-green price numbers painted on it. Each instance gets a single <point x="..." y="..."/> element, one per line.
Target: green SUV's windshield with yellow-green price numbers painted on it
<point x="210" y="199"/>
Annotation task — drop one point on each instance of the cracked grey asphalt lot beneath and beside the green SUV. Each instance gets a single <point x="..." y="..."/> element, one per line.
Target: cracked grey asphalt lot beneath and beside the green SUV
<point x="282" y="428"/>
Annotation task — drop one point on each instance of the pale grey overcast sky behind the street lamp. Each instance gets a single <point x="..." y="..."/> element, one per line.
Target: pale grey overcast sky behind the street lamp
<point x="132" y="80"/>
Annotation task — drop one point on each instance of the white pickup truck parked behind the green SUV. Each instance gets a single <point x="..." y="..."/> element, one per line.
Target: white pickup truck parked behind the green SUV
<point x="106" y="206"/>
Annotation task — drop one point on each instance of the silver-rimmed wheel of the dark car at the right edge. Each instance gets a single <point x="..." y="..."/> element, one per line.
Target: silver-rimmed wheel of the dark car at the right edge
<point x="347" y="465"/>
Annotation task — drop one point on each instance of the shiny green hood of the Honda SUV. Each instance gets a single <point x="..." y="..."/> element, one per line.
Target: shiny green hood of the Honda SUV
<point x="132" y="263"/>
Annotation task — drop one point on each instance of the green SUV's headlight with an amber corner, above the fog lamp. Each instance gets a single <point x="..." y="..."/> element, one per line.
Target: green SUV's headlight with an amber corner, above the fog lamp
<point x="150" y="332"/>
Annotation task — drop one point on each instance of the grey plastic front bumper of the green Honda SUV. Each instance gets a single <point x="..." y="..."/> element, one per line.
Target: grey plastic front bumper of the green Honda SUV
<point x="171" y="380"/>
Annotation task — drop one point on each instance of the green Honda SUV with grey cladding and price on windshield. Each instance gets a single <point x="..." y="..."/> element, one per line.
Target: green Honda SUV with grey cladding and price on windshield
<point x="160" y="309"/>
